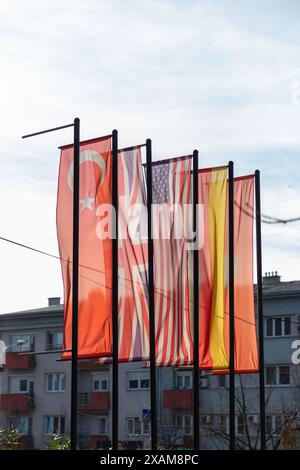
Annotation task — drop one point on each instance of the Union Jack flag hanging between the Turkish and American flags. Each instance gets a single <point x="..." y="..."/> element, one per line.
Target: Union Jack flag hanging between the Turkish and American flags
<point x="133" y="261"/>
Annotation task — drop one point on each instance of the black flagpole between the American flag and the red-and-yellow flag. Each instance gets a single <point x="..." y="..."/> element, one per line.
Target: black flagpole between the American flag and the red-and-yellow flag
<point x="196" y="302"/>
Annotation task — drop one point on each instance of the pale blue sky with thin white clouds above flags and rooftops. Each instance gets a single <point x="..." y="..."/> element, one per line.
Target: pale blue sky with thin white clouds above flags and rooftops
<point x="221" y="76"/>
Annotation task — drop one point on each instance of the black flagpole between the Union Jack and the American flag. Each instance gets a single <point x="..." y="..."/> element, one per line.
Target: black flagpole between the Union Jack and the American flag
<point x="151" y="299"/>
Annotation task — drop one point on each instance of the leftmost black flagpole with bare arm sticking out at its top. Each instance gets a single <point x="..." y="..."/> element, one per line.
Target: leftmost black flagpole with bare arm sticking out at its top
<point x="75" y="271"/>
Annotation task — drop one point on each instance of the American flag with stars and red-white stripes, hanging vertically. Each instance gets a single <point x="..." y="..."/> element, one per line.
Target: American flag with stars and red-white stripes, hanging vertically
<point x="174" y="336"/>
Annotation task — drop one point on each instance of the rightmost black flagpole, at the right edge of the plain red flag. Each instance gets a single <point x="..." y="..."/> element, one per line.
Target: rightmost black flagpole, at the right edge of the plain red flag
<point x="260" y="314"/>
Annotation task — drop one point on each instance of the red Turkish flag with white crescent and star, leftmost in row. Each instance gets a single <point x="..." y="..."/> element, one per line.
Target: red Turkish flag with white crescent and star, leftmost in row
<point x="95" y="251"/>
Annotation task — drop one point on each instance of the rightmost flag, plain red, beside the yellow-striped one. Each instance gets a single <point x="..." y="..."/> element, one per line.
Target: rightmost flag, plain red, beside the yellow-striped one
<point x="246" y="353"/>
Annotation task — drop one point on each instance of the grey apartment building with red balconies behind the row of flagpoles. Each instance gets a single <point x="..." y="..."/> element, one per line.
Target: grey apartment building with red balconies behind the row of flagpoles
<point x="35" y="385"/>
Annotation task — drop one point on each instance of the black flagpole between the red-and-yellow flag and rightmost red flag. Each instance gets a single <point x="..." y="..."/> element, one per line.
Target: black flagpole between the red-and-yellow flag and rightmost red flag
<point x="231" y="307"/>
